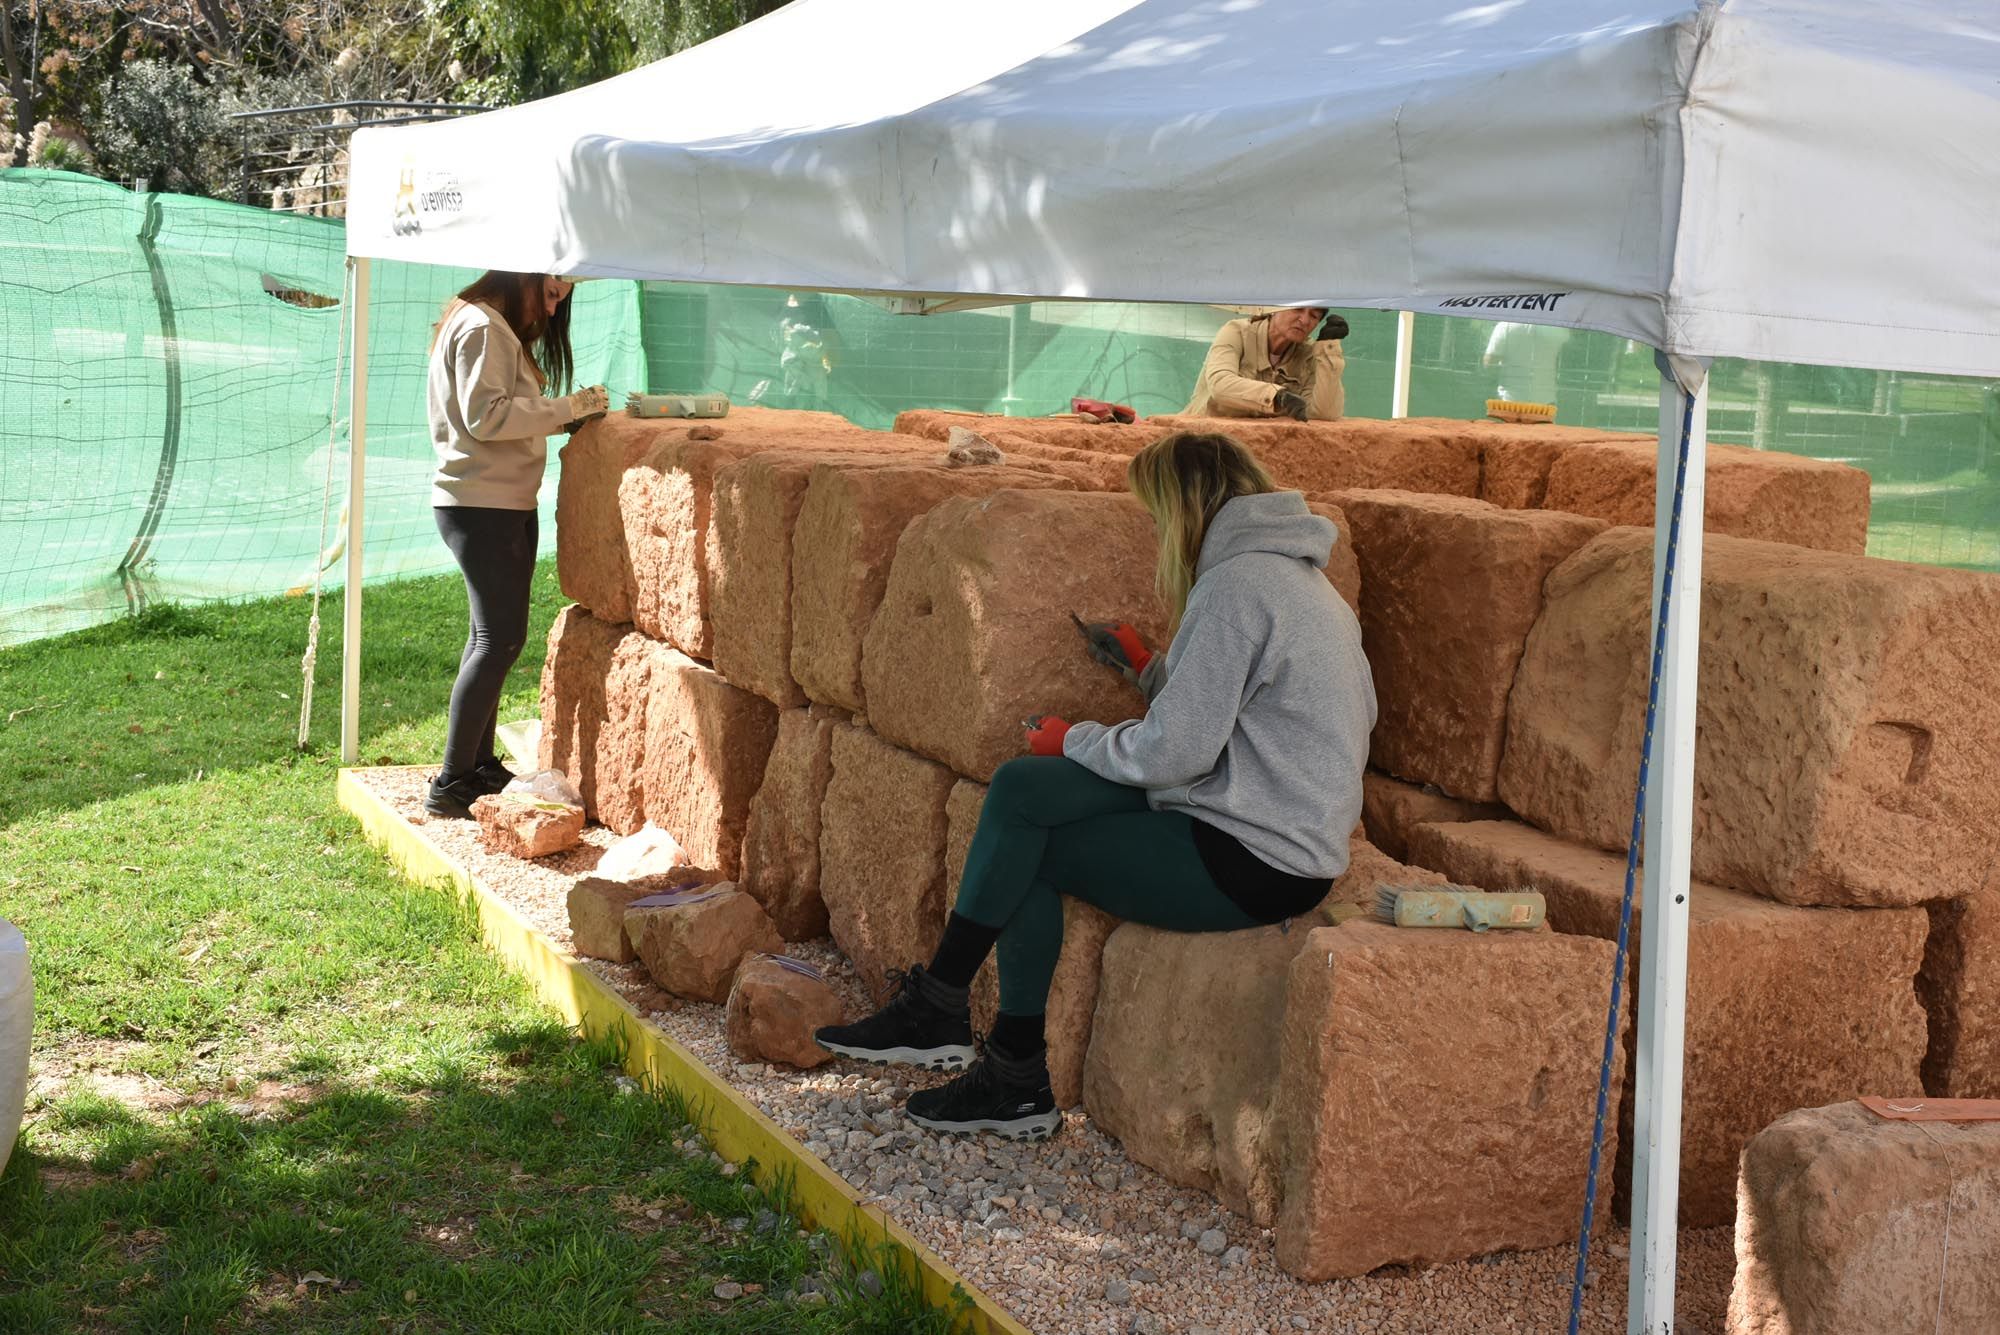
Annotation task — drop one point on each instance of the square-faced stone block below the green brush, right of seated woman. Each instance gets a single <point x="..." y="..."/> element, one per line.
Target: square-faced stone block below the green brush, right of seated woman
<point x="1437" y="1094"/>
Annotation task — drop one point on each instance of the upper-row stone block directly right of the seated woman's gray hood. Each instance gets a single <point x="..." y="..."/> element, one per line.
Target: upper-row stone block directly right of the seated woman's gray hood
<point x="1453" y="589"/>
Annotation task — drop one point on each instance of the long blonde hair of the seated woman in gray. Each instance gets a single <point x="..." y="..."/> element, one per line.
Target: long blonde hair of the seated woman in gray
<point x="1185" y="481"/>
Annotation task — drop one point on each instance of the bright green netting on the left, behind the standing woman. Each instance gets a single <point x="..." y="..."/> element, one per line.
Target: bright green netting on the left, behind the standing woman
<point x="165" y="401"/>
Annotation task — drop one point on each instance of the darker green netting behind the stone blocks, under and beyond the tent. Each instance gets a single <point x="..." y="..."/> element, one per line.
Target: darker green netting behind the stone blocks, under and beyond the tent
<point x="1927" y="441"/>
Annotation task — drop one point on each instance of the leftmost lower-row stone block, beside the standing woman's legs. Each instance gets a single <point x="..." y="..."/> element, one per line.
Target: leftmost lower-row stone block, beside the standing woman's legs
<point x="595" y="686"/>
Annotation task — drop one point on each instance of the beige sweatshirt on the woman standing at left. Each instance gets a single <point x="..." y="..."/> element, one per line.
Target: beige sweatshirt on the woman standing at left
<point x="489" y="421"/>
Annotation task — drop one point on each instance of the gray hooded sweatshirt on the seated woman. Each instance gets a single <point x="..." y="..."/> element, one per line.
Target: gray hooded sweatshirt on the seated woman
<point x="1263" y="706"/>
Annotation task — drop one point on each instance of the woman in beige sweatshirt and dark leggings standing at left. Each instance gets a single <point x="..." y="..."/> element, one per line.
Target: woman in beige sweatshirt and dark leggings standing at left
<point x="501" y="345"/>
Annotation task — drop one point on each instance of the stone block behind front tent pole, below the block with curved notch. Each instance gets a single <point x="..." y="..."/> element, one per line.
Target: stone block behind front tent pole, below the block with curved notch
<point x="1787" y="1006"/>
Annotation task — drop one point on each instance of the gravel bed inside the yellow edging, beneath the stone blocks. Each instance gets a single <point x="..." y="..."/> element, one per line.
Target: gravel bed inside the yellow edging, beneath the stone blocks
<point x="1071" y="1236"/>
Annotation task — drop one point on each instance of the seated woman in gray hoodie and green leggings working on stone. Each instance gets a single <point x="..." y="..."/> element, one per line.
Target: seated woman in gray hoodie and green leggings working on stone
<point x="1227" y="806"/>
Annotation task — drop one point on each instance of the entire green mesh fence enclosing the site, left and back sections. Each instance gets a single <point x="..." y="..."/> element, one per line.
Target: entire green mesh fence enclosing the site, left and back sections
<point x="169" y="371"/>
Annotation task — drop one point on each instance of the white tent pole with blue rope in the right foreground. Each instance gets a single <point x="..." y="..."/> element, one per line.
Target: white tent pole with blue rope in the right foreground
<point x="1663" y="960"/>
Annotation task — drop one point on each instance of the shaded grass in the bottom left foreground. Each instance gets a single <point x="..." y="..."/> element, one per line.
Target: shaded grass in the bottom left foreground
<point x="535" y="1194"/>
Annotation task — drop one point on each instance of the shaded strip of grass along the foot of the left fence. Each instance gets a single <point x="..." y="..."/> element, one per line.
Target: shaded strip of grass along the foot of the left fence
<point x="209" y="688"/>
